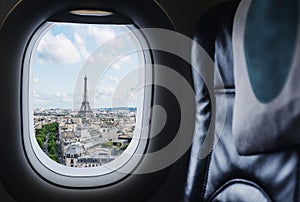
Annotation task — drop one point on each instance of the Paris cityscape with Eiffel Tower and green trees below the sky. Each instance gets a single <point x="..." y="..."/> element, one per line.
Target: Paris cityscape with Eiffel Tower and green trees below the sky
<point x="84" y="138"/>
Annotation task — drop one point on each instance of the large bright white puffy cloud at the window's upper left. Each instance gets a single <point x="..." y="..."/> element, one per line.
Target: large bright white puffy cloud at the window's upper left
<point x="58" y="49"/>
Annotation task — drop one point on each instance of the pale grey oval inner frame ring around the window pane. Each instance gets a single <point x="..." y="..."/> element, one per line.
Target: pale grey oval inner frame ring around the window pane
<point x="83" y="177"/>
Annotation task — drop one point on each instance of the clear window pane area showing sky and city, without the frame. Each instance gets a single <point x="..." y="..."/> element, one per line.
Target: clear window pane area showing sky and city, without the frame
<point x="69" y="131"/>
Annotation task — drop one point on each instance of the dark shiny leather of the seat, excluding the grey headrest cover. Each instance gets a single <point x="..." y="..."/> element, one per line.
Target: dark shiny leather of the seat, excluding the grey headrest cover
<point x="224" y="174"/>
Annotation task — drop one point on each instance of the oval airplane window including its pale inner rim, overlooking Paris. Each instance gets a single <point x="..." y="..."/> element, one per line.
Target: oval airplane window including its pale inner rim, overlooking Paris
<point x="86" y="97"/>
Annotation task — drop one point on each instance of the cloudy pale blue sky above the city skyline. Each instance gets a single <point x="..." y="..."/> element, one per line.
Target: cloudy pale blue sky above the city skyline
<point x="66" y="52"/>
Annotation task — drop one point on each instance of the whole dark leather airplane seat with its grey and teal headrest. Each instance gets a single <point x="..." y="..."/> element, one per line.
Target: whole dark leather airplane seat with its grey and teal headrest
<point x="243" y="149"/>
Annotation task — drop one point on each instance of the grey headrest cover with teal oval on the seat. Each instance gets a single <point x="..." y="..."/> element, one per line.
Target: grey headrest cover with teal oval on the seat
<point x="266" y="48"/>
